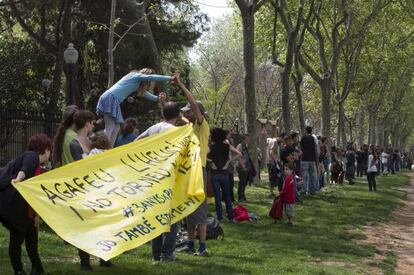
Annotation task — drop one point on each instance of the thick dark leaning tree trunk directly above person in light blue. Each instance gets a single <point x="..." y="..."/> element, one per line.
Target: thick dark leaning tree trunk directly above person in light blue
<point x="139" y="11"/>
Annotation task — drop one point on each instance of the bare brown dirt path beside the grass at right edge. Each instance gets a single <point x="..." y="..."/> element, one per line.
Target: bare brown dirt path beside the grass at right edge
<point x="397" y="236"/>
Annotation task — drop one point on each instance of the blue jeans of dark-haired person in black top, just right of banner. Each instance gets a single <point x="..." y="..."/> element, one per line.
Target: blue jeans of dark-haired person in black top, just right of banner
<point x="221" y="182"/>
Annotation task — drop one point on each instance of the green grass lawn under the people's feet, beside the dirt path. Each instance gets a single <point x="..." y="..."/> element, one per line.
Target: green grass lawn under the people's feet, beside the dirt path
<point x="322" y="241"/>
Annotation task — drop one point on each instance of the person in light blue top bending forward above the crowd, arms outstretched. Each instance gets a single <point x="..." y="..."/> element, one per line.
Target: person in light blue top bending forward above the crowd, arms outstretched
<point x="109" y="104"/>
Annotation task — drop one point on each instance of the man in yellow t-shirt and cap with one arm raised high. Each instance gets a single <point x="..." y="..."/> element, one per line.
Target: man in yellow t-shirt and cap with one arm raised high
<point x="195" y="113"/>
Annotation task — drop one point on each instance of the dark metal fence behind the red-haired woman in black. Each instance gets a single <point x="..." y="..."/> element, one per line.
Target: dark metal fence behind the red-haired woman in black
<point x="17" y="126"/>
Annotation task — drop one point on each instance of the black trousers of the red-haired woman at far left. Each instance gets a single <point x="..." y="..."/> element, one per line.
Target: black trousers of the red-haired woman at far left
<point x="15" y="248"/>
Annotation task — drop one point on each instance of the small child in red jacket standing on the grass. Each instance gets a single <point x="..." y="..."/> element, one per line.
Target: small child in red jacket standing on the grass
<point x="288" y="193"/>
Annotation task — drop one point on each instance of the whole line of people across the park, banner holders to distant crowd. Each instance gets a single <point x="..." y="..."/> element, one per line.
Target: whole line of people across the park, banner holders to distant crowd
<point x="296" y="167"/>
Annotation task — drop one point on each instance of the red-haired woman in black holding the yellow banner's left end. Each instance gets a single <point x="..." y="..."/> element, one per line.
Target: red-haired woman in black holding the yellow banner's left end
<point x="22" y="221"/>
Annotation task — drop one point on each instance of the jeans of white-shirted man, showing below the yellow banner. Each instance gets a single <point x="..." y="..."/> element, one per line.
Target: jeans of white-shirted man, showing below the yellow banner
<point x="163" y="246"/>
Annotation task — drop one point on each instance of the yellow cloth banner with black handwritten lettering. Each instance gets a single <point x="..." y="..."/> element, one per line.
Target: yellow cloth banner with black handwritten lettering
<point x="122" y="198"/>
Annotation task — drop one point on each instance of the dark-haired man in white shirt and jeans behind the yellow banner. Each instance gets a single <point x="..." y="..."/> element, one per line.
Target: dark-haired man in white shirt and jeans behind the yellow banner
<point x="163" y="246"/>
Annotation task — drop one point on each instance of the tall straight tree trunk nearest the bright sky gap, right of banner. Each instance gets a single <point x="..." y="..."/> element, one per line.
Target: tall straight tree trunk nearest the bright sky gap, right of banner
<point x="249" y="82"/>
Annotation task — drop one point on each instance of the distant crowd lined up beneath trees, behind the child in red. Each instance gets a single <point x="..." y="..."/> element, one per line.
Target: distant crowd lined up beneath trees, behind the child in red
<point x="314" y="168"/>
